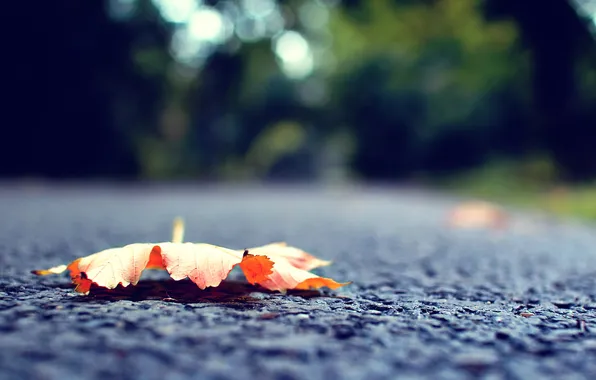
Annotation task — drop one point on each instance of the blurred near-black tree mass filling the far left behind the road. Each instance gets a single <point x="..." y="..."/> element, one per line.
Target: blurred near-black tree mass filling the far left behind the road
<point x="84" y="95"/>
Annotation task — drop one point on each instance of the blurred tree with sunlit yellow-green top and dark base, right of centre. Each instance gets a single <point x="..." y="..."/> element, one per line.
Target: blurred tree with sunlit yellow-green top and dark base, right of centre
<point x="434" y="104"/>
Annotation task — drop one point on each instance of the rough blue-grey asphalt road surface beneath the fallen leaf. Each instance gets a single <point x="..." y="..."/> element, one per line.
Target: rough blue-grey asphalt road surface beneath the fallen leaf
<point x="427" y="302"/>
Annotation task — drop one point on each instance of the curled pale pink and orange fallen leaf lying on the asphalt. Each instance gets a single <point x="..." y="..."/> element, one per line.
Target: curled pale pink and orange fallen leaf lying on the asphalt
<point x="275" y="266"/>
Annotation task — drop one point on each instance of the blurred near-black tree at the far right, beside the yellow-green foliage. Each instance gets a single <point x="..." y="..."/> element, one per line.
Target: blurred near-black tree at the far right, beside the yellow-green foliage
<point x="557" y="38"/>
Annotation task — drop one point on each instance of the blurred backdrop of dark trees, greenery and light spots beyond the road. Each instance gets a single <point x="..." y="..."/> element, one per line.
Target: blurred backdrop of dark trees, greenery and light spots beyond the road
<point x="495" y="97"/>
